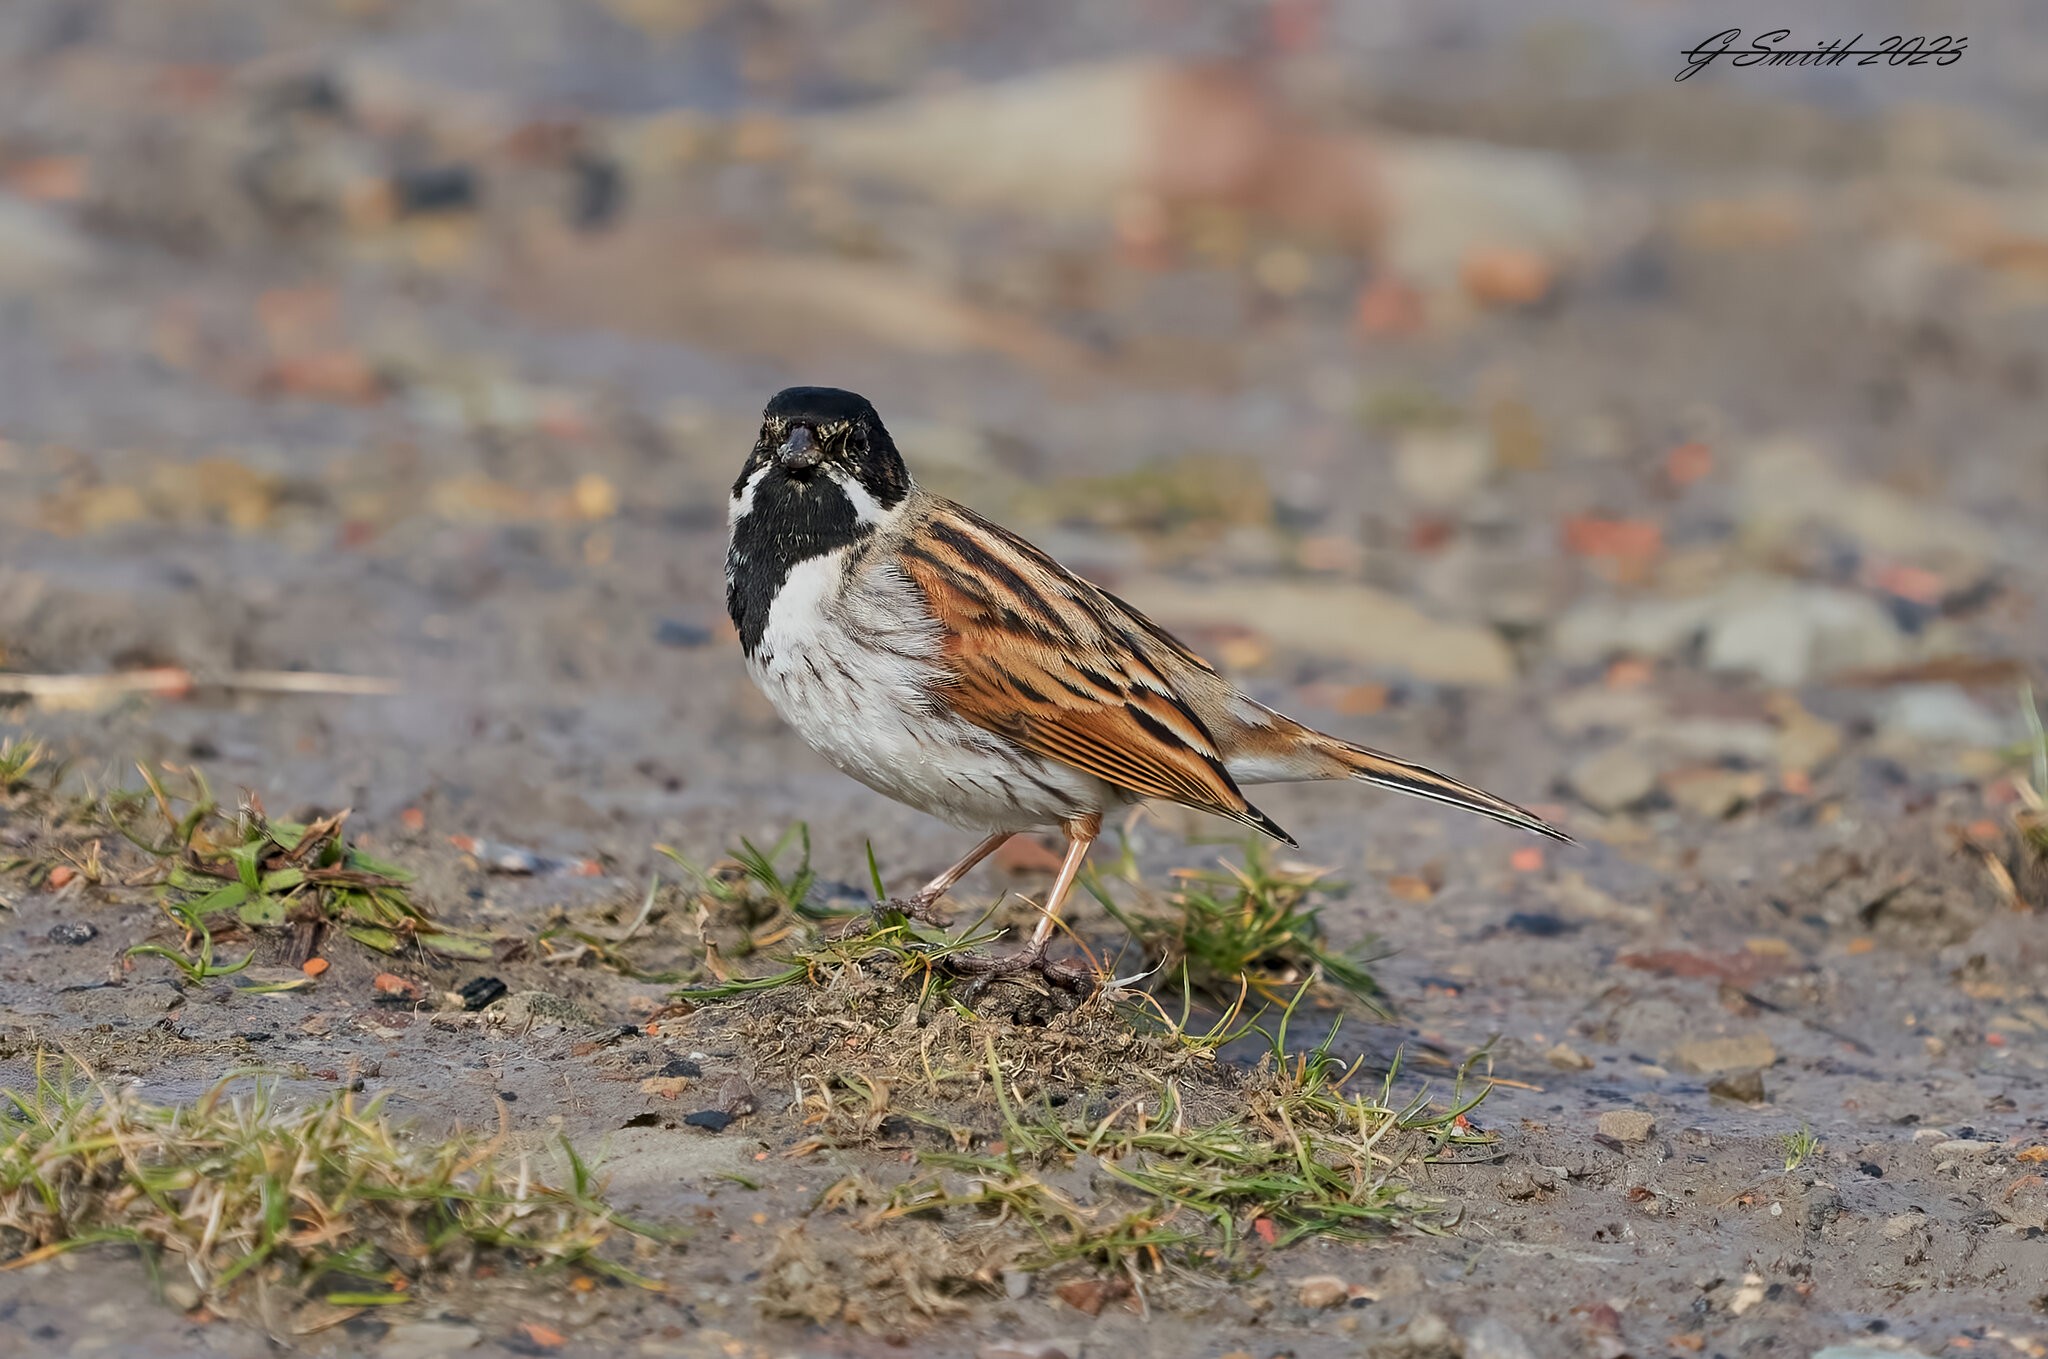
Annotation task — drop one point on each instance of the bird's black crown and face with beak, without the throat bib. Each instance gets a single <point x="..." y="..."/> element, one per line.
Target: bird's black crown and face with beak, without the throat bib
<point x="826" y="435"/>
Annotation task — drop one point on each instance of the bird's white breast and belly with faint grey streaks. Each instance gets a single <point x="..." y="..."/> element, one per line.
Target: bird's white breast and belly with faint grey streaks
<point x="853" y="670"/>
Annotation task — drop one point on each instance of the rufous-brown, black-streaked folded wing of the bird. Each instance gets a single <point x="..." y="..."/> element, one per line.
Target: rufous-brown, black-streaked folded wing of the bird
<point x="1066" y="670"/>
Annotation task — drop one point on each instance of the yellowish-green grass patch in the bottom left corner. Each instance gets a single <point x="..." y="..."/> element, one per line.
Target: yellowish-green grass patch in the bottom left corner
<point x="245" y="1196"/>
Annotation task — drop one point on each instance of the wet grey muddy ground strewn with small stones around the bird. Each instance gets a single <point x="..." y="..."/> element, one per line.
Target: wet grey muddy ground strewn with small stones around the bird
<point x="423" y="341"/>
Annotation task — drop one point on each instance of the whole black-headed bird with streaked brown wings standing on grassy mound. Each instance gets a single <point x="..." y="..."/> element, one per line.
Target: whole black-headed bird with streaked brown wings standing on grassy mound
<point x="949" y="664"/>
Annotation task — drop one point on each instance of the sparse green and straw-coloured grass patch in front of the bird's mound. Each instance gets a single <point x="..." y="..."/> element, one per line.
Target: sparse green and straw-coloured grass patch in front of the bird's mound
<point x="1164" y="1184"/>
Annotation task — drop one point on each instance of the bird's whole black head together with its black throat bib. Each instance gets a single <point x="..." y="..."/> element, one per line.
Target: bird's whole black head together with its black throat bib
<point x="824" y="476"/>
